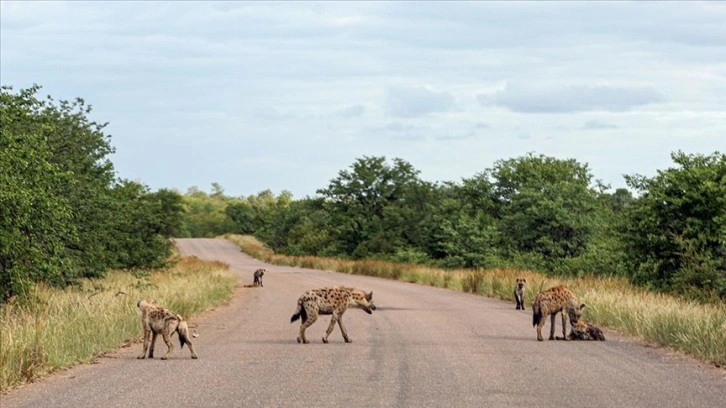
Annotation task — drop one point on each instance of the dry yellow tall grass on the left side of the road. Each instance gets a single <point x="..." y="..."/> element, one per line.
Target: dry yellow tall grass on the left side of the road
<point x="54" y="329"/>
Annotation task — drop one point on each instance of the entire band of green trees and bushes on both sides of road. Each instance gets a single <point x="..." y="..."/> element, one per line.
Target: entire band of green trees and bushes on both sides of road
<point x="64" y="214"/>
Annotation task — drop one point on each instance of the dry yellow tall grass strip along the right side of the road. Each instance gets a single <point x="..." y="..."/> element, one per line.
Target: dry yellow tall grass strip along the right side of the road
<point x="658" y="319"/>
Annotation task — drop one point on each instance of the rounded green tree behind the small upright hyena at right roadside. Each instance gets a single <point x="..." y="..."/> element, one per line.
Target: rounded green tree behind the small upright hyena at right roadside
<point x="544" y="206"/>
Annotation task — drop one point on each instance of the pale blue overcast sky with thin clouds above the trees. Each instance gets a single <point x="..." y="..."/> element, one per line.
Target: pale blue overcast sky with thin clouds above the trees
<point x="284" y="95"/>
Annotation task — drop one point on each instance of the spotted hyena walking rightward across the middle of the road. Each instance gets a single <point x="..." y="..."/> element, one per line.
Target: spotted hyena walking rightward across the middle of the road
<point x="330" y="301"/>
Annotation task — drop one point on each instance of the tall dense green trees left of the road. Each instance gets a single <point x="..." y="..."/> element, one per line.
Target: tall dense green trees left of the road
<point x="64" y="215"/>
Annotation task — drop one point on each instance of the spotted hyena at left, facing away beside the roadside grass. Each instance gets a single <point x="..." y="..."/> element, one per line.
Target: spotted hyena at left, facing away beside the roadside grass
<point x="157" y="320"/>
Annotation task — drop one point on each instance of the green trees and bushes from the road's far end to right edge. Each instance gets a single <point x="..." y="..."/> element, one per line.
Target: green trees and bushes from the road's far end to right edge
<point x="533" y="212"/>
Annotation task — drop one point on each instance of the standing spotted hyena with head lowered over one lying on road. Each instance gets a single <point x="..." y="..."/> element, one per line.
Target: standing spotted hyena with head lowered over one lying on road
<point x="555" y="300"/>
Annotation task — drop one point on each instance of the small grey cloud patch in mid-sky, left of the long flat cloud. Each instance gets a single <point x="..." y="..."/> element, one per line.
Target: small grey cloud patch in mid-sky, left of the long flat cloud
<point x="417" y="101"/>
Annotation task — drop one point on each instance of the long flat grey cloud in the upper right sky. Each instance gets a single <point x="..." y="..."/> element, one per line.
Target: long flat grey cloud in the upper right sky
<point x="579" y="98"/>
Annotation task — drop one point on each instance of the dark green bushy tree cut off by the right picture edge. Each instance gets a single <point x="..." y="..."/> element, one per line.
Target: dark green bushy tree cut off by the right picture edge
<point x="675" y="230"/>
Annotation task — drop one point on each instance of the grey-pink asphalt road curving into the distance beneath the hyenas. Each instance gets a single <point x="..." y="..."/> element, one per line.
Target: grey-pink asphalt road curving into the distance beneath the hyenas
<point x="423" y="347"/>
